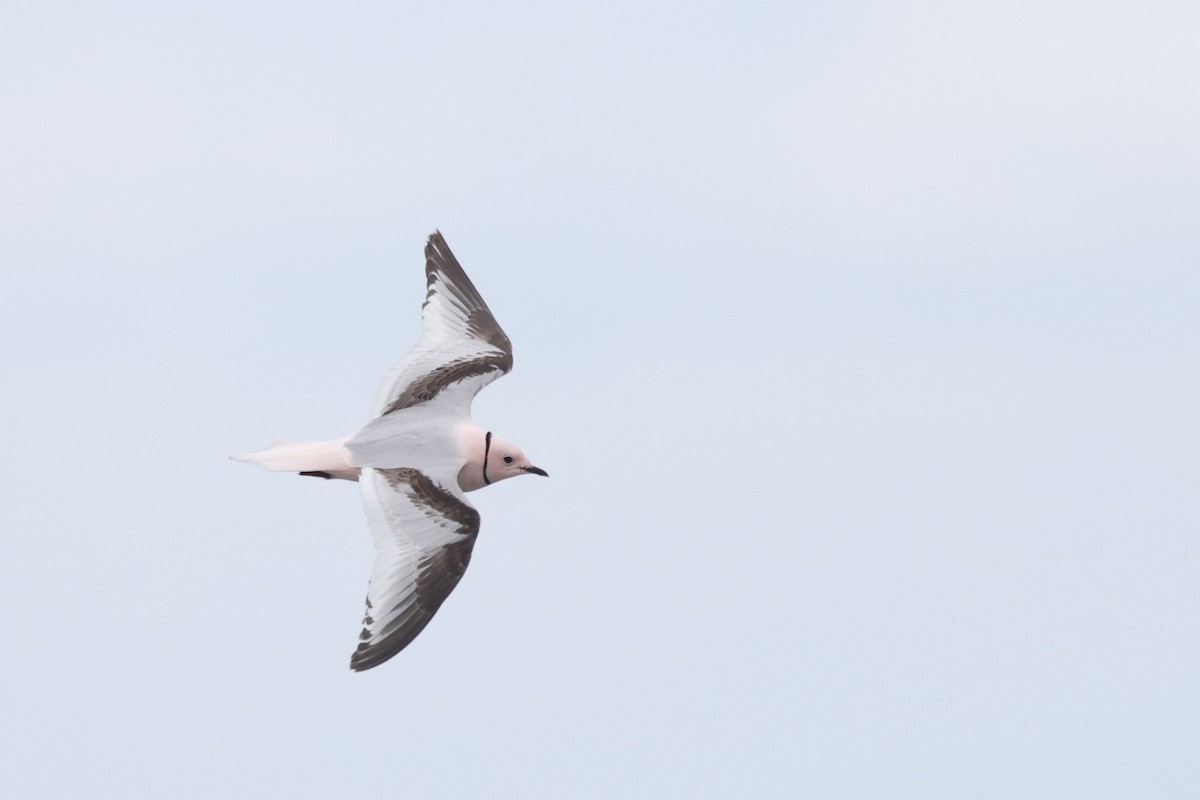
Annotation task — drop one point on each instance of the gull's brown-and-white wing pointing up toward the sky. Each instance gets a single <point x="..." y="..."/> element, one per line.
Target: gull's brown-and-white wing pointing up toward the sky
<point x="460" y="339"/>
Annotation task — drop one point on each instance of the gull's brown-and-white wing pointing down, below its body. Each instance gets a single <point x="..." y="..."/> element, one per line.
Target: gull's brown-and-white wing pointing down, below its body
<point x="424" y="534"/>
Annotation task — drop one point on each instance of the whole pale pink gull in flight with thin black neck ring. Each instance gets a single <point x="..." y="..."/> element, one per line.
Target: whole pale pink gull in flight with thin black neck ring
<point x="418" y="458"/>
